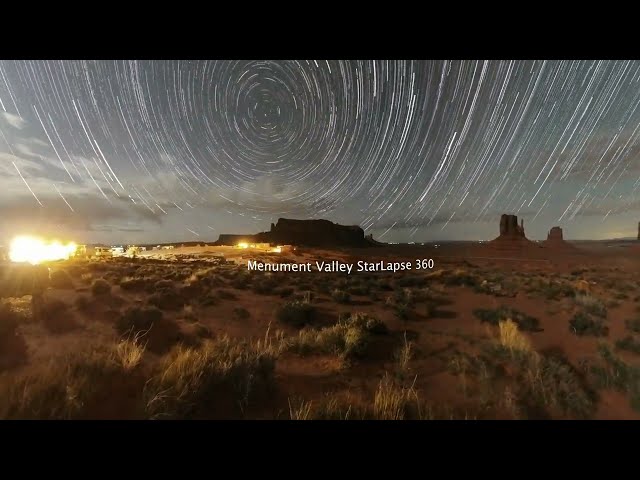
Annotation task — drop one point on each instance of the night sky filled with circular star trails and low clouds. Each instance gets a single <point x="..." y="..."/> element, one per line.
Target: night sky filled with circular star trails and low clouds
<point x="161" y="151"/>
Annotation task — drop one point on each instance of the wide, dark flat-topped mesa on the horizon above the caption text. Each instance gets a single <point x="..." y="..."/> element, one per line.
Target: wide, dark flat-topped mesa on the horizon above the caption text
<point x="313" y="233"/>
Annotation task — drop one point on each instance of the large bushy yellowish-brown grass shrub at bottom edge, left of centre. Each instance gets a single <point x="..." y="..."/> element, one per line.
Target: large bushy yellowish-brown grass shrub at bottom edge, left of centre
<point x="200" y="382"/>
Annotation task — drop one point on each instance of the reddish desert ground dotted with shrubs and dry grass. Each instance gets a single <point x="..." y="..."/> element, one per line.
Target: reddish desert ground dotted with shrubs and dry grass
<point x="487" y="333"/>
